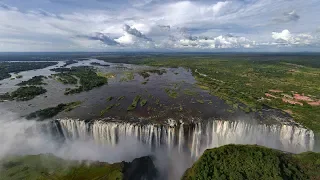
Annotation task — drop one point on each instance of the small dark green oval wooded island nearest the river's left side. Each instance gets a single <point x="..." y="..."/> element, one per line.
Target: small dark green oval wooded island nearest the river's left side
<point x="27" y="93"/>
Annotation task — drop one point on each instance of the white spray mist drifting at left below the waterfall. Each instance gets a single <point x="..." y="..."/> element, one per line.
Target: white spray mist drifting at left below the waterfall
<point x="24" y="137"/>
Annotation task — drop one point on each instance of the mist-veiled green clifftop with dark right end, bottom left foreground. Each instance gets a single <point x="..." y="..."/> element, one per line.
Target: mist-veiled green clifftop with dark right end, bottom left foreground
<point x="51" y="167"/>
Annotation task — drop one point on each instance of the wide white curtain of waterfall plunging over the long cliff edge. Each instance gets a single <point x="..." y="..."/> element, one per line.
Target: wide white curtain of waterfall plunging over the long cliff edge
<point x="193" y="138"/>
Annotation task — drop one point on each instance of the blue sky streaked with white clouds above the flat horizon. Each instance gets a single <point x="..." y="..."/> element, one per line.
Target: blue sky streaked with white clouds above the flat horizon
<point x="173" y="25"/>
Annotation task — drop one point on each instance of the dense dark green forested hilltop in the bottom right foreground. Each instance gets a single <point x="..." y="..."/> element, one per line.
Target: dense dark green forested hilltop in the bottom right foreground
<point x="253" y="162"/>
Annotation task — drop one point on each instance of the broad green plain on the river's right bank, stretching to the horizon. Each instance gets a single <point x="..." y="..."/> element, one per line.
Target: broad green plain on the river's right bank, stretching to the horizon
<point x="245" y="80"/>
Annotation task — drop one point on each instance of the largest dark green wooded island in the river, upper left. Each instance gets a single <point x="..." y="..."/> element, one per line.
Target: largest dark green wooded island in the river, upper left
<point x="87" y="75"/>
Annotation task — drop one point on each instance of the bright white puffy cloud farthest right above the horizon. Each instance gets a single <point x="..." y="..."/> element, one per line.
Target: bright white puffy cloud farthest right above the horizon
<point x="287" y="38"/>
